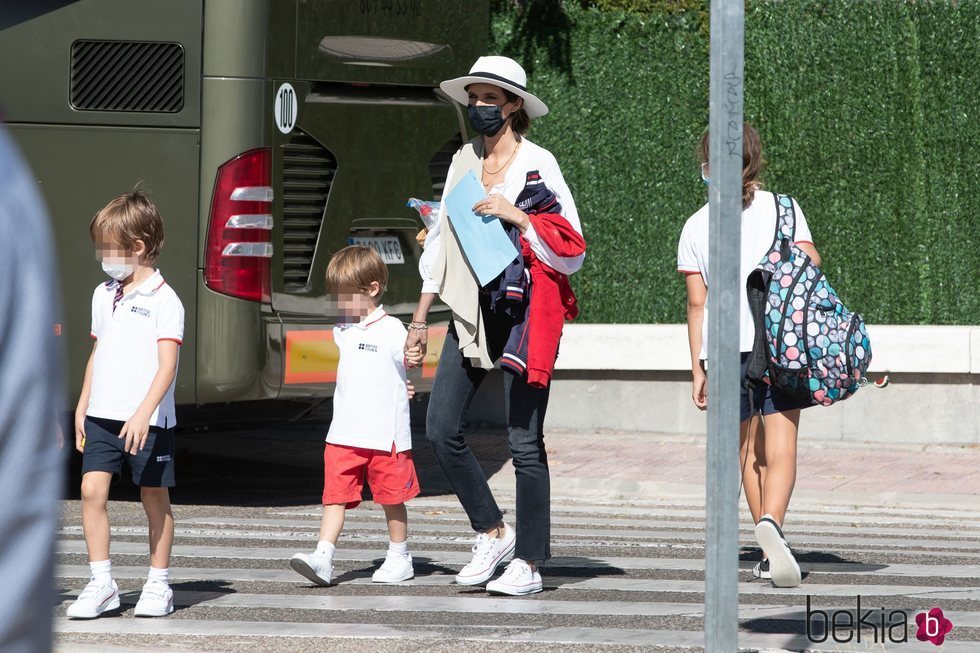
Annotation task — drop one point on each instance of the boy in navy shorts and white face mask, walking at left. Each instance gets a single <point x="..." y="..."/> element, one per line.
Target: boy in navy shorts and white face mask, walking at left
<point x="126" y="408"/>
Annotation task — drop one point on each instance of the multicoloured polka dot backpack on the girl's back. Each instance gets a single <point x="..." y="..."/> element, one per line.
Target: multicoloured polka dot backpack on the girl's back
<point x="807" y="344"/>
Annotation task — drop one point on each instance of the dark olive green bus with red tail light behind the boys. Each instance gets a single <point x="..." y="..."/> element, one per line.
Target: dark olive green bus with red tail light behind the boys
<point x="270" y="133"/>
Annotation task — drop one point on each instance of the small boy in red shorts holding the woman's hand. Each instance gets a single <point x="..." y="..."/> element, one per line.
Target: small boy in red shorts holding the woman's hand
<point x="370" y="435"/>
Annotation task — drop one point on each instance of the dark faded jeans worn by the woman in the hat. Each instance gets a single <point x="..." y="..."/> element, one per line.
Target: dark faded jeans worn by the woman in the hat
<point x="454" y="386"/>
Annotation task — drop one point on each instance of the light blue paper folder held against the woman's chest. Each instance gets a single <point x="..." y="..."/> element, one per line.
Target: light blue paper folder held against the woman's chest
<point x="487" y="247"/>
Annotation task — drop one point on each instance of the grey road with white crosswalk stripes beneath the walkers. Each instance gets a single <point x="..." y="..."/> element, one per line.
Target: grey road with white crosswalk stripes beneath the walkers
<point x="628" y="572"/>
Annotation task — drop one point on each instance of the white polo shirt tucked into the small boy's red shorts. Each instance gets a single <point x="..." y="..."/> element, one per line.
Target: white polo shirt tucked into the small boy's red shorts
<point x="370" y="402"/>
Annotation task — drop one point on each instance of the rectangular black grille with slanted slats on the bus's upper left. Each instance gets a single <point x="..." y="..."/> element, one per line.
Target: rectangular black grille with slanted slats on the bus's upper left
<point x="127" y="76"/>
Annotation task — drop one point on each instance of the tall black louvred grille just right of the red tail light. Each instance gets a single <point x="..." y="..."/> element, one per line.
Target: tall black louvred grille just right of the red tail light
<point x="308" y="170"/>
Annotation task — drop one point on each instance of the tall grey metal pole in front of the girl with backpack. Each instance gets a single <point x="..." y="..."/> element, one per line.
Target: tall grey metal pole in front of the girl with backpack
<point x="724" y="229"/>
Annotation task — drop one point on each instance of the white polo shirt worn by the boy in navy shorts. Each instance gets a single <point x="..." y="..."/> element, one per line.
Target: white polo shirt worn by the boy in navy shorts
<point x="126" y="359"/>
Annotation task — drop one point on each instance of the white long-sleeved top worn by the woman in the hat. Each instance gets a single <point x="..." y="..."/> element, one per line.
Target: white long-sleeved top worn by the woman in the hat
<point x="529" y="157"/>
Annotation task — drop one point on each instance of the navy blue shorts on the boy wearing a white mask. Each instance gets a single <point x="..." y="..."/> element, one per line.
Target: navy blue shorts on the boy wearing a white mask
<point x="103" y="452"/>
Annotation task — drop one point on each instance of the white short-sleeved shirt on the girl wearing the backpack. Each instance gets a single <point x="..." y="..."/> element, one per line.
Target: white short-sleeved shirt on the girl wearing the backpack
<point x="758" y="232"/>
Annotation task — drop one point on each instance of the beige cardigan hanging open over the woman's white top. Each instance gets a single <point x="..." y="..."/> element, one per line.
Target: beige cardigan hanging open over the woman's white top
<point x="458" y="286"/>
